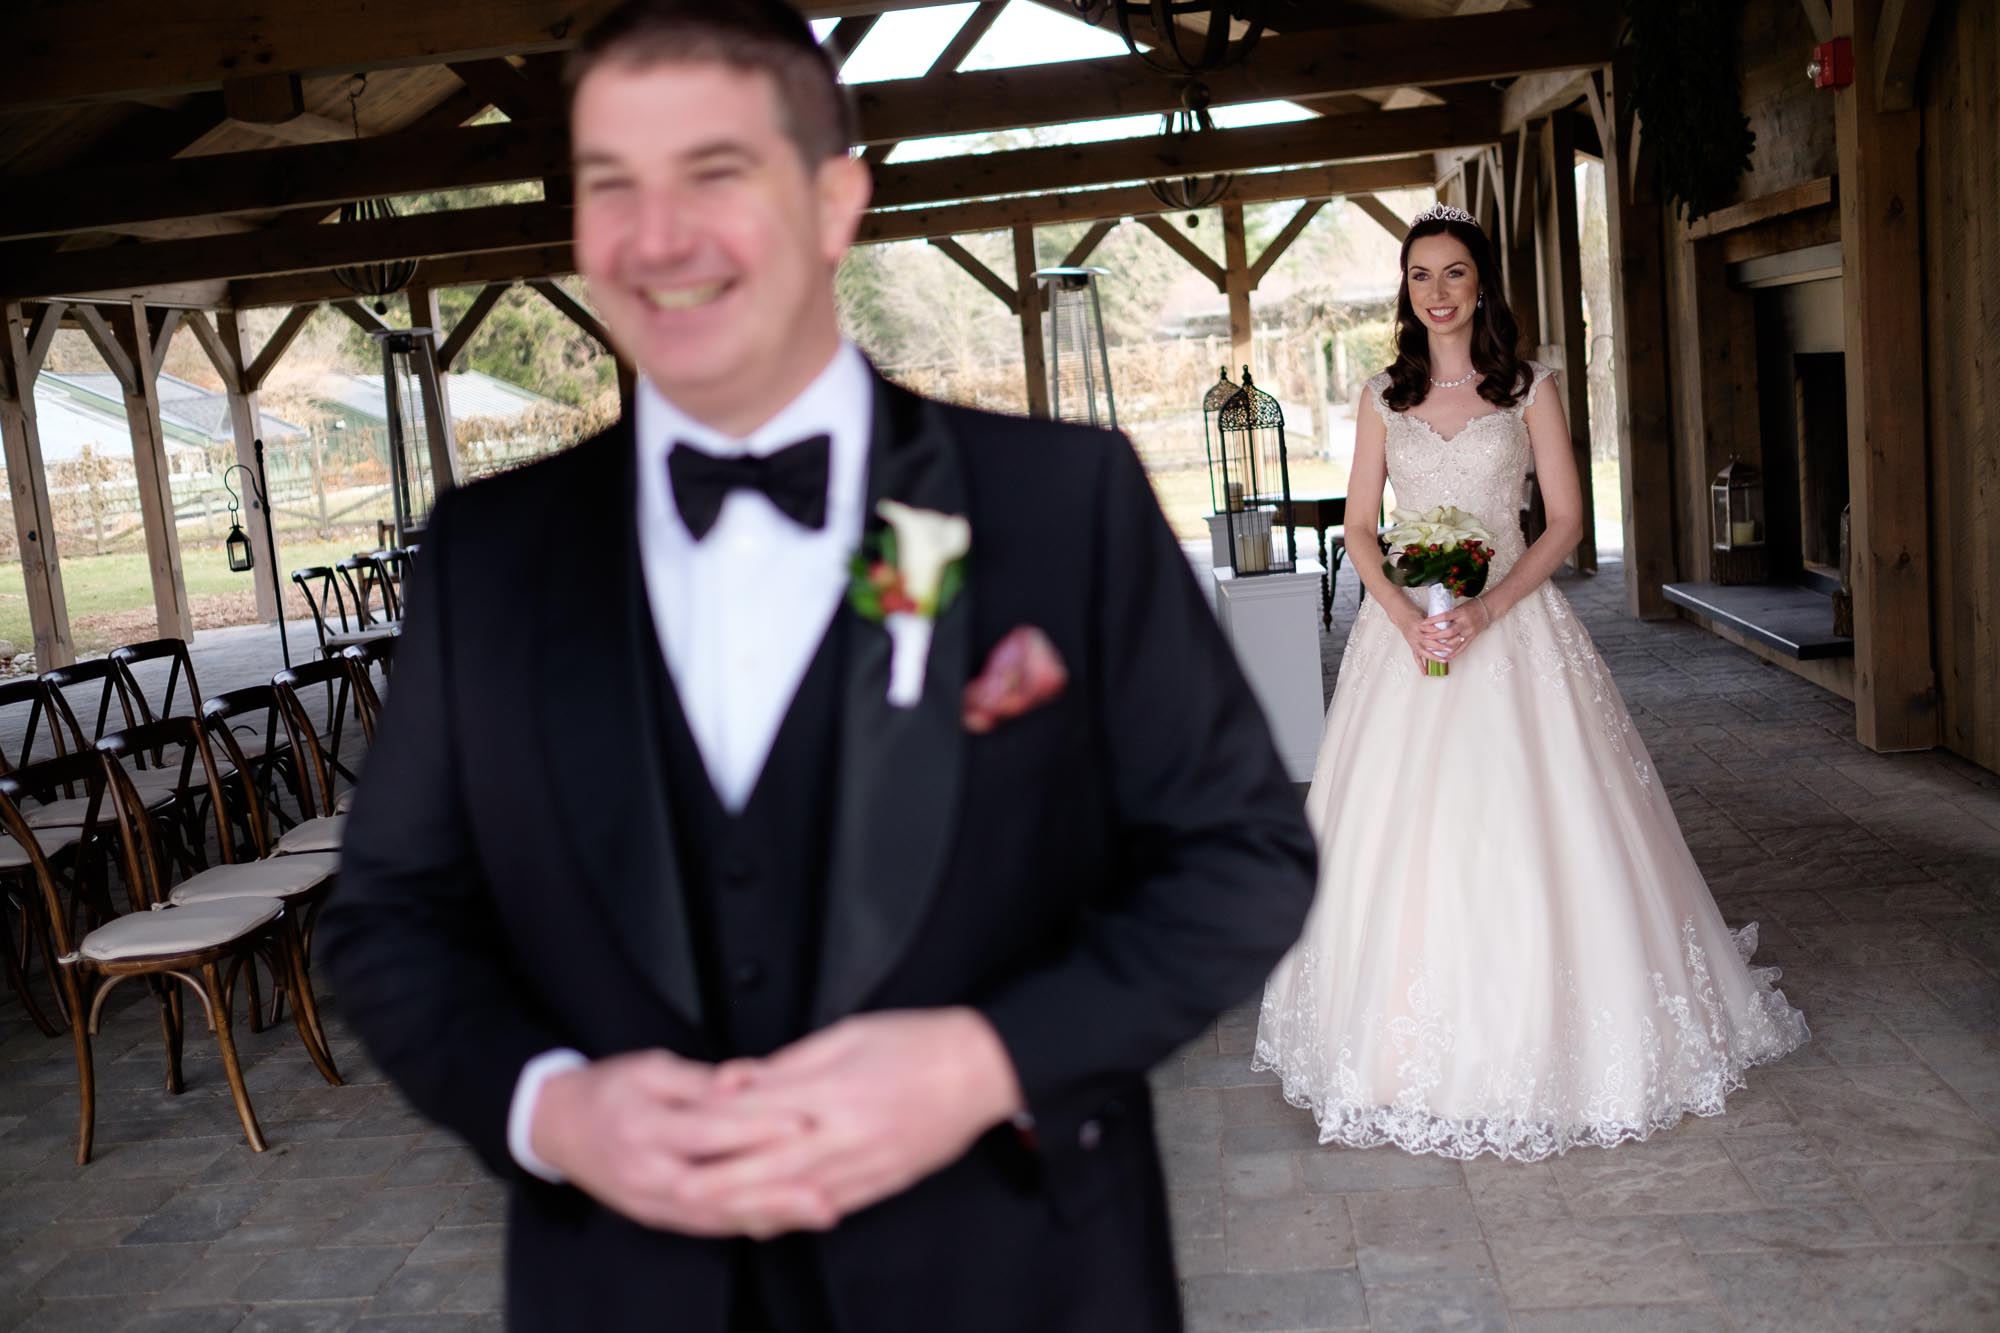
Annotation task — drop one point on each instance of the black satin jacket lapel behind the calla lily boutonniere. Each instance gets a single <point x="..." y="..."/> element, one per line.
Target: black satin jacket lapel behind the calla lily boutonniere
<point x="901" y="772"/>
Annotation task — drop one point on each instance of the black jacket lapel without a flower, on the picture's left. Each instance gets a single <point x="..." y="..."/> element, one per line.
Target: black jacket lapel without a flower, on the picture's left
<point x="599" y="724"/>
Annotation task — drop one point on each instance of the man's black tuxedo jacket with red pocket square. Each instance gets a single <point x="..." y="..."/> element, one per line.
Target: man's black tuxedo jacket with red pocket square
<point x="1099" y="878"/>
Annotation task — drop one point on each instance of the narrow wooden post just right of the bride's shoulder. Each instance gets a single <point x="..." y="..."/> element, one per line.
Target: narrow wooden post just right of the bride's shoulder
<point x="1565" y="345"/>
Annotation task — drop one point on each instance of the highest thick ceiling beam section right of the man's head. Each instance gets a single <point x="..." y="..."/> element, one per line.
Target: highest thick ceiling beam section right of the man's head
<point x="1427" y="51"/>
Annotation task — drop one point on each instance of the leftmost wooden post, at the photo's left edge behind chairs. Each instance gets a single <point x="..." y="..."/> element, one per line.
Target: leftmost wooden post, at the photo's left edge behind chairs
<point x="41" y="567"/>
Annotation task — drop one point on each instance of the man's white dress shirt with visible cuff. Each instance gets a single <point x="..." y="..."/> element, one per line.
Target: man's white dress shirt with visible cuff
<point x="743" y="611"/>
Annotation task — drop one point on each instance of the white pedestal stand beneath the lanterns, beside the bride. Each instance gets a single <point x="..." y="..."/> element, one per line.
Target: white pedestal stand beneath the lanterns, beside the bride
<point x="1273" y="621"/>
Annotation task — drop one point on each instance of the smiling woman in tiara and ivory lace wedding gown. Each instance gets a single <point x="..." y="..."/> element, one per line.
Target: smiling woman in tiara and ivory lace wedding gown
<point x="1513" y="950"/>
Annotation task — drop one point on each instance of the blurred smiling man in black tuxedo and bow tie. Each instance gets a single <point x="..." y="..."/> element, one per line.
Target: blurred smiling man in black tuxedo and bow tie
<point x="797" y="946"/>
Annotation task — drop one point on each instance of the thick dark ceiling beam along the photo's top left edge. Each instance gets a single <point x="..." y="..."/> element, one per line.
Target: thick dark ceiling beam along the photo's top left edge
<point x="61" y="53"/>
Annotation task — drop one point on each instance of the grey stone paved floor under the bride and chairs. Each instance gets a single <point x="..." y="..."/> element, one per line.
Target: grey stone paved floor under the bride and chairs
<point x="1853" y="1188"/>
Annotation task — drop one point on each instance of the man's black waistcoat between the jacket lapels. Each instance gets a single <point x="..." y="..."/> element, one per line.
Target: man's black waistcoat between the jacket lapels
<point x="755" y="888"/>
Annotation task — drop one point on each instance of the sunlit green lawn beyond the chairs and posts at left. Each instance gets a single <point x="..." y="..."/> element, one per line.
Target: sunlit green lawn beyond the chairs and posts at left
<point x="109" y="593"/>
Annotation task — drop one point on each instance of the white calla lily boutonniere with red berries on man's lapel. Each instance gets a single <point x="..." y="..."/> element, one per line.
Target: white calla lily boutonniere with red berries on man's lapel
<point x="903" y="579"/>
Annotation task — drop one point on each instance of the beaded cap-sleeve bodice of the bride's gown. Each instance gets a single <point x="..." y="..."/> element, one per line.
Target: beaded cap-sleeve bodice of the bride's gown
<point x="1483" y="469"/>
